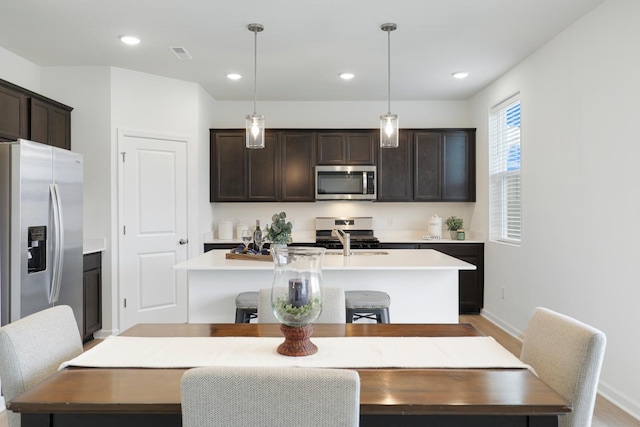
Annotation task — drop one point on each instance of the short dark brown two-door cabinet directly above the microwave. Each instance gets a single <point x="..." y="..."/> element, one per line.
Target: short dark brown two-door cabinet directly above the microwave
<point x="356" y="147"/>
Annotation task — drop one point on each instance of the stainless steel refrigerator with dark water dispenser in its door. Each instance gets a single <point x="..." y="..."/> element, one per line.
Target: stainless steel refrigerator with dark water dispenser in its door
<point x="40" y="229"/>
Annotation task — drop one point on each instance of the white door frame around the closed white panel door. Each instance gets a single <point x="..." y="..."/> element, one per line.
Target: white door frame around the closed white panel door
<point x="122" y="134"/>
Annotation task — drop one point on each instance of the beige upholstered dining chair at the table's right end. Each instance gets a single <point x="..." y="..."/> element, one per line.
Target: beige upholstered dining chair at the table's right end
<point x="567" y="355"/>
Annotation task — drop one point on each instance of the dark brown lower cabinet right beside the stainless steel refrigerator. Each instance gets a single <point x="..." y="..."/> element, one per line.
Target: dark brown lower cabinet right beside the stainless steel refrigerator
<point x="92" y="284"/>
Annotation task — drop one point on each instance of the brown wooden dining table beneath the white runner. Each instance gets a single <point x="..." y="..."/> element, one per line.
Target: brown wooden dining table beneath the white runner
<point x="140" y="397"/>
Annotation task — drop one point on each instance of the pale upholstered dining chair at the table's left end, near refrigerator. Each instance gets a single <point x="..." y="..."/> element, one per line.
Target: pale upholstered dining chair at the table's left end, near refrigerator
<point x="33" y="348"/>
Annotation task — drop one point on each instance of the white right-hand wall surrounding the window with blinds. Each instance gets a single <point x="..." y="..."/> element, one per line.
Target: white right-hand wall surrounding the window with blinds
<point x="580" y="152"/>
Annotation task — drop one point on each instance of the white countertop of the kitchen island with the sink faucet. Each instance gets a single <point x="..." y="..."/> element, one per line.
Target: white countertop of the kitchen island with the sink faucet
<point x="394" y="259"/>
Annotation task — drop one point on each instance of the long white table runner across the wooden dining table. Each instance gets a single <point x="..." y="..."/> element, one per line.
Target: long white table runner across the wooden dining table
<point x="333" y="352"/>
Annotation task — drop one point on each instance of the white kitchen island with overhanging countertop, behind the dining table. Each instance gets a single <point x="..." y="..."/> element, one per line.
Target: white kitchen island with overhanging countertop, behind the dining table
<point x="422" y="284"/>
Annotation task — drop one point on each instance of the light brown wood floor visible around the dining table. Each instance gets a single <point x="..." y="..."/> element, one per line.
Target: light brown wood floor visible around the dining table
<point x="606" y="414"/>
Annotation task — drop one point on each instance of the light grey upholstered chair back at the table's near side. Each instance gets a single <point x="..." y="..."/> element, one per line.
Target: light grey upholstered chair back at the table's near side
<point x="270" y="396"/>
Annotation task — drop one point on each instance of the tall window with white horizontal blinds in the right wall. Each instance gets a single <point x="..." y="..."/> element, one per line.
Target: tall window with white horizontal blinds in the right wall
<point x="505" y="195"/>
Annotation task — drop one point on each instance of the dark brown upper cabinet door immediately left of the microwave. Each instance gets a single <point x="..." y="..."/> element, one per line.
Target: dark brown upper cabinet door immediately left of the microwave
<point x="298" y="160"/>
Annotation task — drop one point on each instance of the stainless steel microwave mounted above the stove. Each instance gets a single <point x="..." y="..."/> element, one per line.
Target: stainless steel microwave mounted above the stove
<point x="346" y="183"/>
